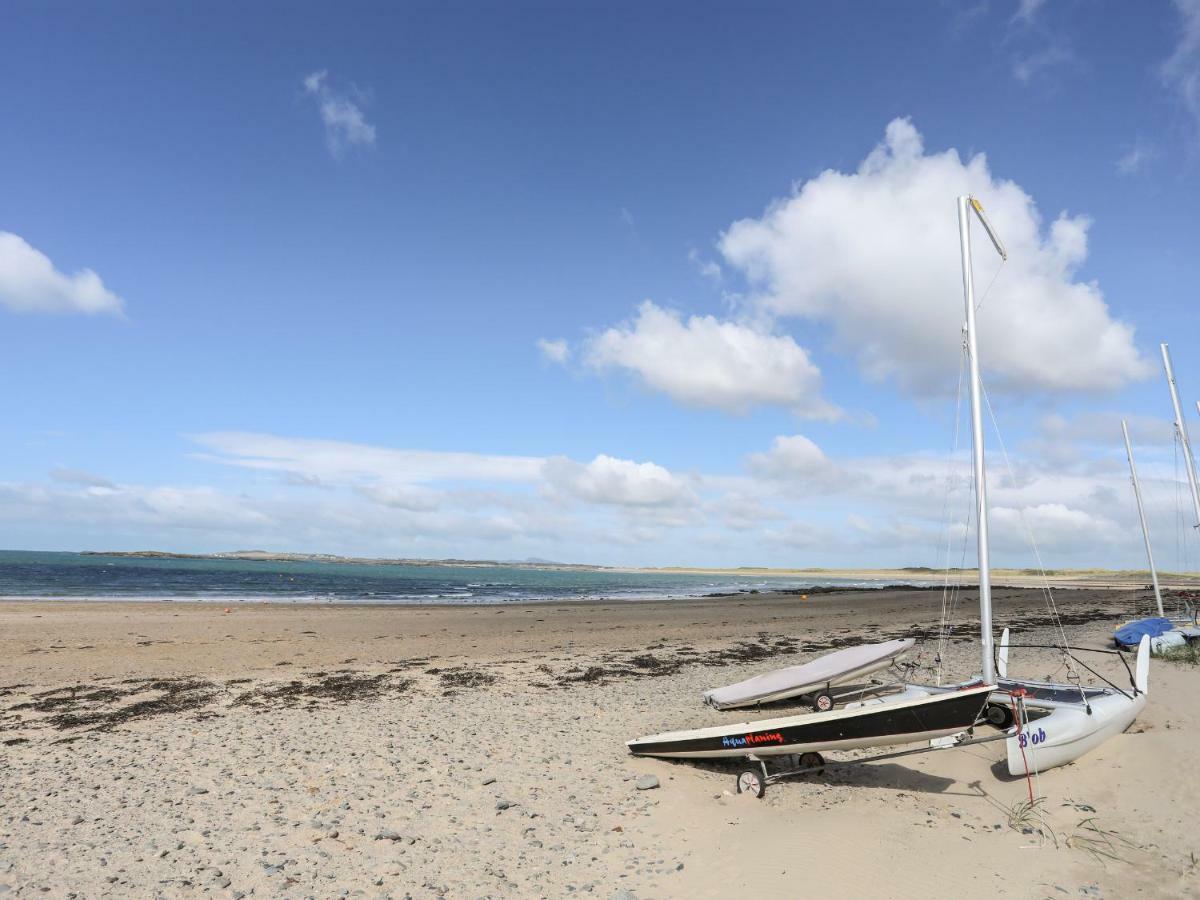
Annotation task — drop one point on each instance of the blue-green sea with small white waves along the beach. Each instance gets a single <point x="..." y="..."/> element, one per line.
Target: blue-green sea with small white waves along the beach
<point x="74" y="577"/>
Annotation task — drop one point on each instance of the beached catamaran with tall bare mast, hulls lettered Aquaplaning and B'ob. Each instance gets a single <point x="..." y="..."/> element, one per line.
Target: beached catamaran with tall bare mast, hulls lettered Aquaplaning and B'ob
<point x="919" y="713"/>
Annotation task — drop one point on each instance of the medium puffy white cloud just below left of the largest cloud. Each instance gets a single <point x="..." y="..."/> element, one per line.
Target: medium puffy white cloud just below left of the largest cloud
<point x="705" y="362"/>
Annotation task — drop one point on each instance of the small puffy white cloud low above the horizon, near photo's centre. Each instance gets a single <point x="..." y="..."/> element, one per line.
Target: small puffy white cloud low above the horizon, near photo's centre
<point x="625" y="483"/>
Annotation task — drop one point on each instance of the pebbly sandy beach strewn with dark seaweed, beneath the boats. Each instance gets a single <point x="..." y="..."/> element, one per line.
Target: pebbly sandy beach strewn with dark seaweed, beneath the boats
<point x="178" y="749"/>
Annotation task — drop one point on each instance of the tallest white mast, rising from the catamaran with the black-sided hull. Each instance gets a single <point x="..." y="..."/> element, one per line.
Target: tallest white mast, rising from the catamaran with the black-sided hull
<point x="965" y="206"/>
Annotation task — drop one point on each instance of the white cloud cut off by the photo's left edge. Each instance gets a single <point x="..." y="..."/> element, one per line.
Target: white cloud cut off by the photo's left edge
<point x="29" y="283"/>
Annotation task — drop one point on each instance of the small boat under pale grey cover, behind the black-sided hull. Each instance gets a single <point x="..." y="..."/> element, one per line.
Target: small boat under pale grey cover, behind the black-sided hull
<point x="826" y="671"/>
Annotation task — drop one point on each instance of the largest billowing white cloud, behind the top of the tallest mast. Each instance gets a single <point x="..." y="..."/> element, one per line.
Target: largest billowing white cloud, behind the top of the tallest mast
<point x="875" y="254"/>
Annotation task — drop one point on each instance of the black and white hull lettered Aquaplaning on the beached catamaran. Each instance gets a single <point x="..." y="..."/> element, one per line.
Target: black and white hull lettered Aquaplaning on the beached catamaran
<point x="915" y="716"/>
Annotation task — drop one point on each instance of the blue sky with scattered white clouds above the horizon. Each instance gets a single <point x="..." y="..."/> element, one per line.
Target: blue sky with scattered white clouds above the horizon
<point x="665" y="284"/>
